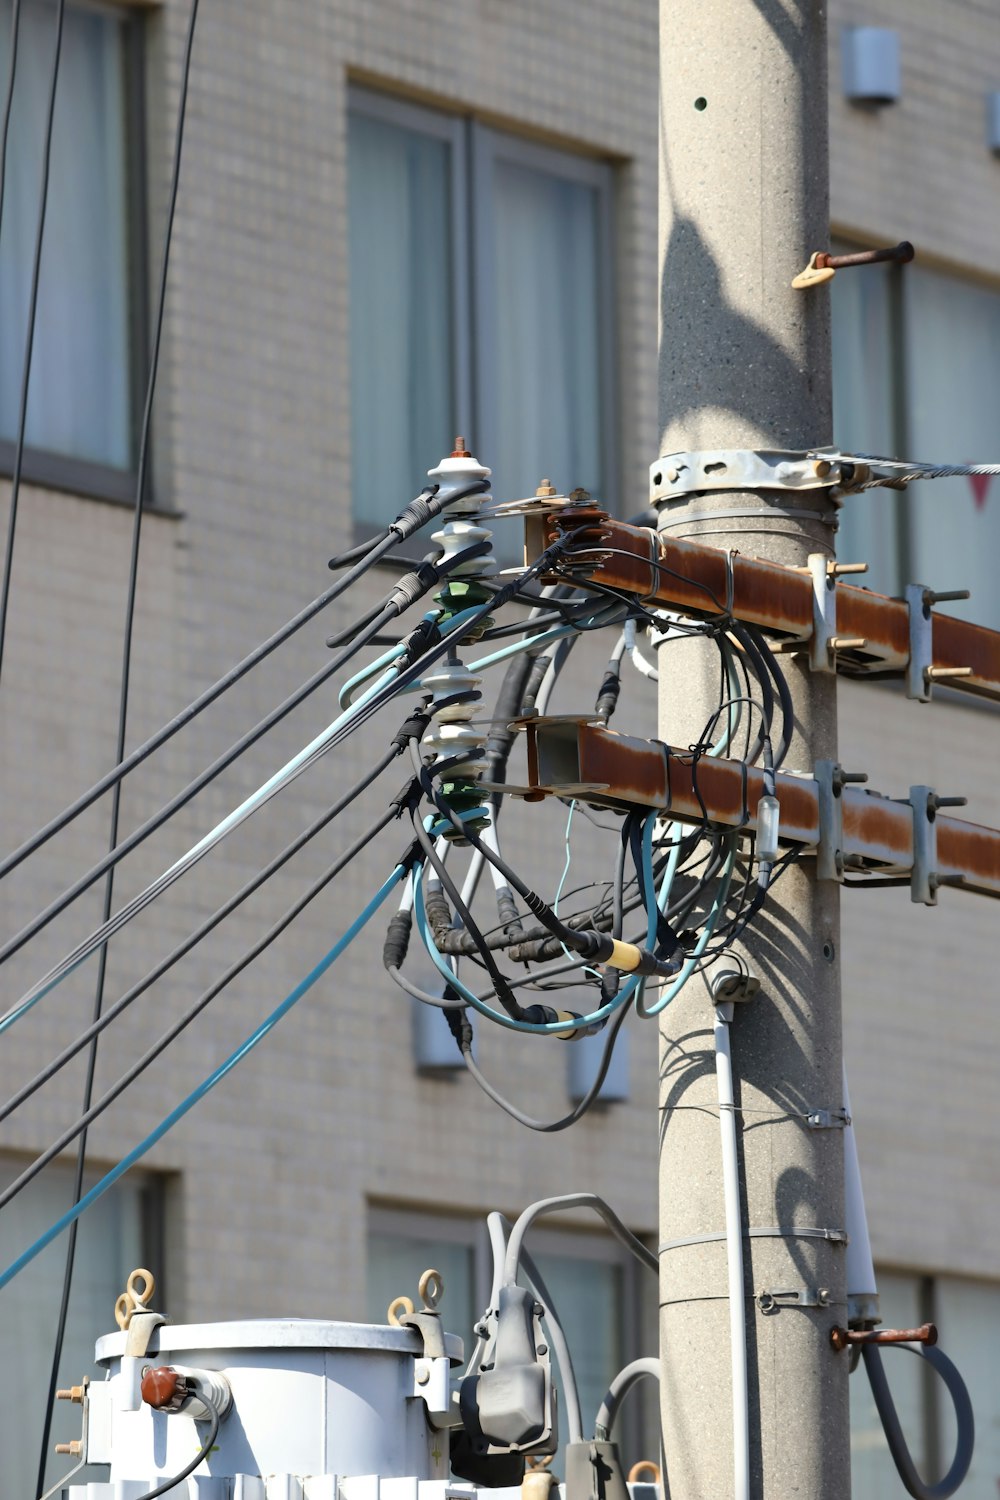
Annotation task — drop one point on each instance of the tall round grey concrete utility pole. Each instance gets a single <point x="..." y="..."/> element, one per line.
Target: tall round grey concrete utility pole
<point x="746" y="364"/>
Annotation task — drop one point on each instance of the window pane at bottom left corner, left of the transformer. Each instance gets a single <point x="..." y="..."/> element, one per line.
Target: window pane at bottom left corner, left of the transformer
<point x="109" y="1247"/>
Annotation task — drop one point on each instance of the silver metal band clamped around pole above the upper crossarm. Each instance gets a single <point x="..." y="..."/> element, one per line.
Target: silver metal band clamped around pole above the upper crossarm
<point x="678" y="475"/>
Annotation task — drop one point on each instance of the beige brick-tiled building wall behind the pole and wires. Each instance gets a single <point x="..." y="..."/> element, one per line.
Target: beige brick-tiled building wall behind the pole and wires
<point x="272" y="1175"/>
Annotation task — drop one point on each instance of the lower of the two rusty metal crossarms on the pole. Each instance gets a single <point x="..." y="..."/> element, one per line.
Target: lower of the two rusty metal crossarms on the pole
<point x="573" y="757"/>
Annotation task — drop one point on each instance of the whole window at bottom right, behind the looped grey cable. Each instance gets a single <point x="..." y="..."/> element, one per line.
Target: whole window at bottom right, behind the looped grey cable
<point x="966" y="1315"/>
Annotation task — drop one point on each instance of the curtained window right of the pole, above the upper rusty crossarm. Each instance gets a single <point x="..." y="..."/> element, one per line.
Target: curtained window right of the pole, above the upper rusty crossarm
<point x="917" y="376"/>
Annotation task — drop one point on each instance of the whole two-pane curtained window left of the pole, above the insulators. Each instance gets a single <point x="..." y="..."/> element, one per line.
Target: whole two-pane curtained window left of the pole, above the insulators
<point x="481" y="304"/>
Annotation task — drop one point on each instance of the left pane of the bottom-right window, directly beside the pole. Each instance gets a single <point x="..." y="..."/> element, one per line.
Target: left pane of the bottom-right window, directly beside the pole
<point x="873" y="1475"/>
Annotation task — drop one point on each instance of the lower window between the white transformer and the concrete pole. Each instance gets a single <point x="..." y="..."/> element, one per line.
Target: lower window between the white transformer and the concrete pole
<point x="605" y="1300"/>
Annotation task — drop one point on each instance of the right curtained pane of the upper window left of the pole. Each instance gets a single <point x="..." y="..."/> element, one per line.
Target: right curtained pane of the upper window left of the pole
<point x="548" y="332"/>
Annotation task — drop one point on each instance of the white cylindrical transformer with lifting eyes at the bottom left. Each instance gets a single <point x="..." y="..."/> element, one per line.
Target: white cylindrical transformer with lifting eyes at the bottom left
<point x="310" y="1399"/>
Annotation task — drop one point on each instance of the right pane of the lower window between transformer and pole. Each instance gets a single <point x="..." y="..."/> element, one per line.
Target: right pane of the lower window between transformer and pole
<point x="588" y="1298"/>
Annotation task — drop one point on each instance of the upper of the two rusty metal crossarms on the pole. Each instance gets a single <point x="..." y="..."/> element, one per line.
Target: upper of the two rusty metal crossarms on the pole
<point x="707" y="583"/>
